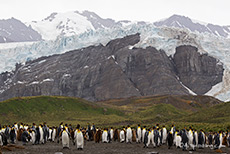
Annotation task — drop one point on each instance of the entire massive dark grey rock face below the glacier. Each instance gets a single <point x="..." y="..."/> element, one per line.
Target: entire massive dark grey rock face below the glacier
<point x="116" y="70"/>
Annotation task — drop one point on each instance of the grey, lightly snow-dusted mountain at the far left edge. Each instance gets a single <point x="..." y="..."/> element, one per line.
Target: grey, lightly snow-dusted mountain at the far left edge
<point x="13" y="30"/>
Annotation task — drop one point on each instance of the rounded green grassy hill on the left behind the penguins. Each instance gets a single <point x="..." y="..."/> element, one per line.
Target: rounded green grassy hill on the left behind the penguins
<point x="54" y="110"/>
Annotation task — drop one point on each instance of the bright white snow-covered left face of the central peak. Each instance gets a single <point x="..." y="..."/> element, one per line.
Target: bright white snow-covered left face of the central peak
<point x="56" y="24"/>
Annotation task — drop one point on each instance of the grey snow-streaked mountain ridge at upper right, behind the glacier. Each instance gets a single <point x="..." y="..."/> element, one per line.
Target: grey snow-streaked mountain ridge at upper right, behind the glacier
<point x="194" y="25"/>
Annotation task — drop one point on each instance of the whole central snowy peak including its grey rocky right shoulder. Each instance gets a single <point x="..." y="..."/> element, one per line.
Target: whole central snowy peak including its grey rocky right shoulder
<point x="71" y="23"/>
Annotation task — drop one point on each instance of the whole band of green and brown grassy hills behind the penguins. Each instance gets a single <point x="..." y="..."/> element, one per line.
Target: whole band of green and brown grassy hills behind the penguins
<point x="198" y="111"/>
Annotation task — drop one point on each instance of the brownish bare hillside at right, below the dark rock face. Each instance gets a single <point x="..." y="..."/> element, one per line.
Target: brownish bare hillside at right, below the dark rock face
<point x="188" y="103"/>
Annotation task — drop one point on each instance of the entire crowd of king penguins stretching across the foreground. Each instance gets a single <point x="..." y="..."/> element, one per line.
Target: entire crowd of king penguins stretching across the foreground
<point x="185" y="139"/>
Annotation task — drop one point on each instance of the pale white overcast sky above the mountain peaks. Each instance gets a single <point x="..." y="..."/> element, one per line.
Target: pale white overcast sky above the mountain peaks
<point x="211" y="11"/>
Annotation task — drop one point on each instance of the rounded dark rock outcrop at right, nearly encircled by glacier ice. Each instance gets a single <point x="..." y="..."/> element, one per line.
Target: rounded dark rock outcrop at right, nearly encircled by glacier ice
<point x="198" y="72"/>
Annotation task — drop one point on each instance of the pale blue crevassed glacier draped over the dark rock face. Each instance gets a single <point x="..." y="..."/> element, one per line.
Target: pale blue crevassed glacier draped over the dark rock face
<point x="162" y="38"/>
